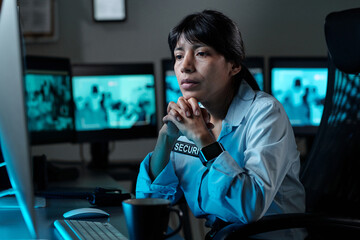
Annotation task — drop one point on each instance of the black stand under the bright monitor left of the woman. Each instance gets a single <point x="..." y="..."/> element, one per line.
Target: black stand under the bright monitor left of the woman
<point x="99" y="155"/>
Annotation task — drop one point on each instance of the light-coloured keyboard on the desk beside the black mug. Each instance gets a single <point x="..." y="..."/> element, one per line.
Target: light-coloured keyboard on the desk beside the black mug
<point x="87" y="230"/>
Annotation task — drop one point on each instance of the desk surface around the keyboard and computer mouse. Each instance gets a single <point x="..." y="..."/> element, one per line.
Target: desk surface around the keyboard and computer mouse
<point x="12" y="225"/>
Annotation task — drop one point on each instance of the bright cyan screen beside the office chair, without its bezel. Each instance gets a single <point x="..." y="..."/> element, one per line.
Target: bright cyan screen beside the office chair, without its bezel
<point x="302" y="93"/>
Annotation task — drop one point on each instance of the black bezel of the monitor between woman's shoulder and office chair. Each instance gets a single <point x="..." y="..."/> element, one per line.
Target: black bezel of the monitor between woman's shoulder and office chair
<point x="297" y="62"/>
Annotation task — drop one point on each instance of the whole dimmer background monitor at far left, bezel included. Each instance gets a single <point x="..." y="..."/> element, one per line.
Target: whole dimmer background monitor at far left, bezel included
<point x="49" y="100"/>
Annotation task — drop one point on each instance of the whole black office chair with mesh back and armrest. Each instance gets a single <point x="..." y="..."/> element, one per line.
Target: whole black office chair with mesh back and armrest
<point x="331" y="173"/>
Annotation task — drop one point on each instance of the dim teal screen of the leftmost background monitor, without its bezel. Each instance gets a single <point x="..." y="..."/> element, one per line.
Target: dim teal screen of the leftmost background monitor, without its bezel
<point x="48" y="101"/>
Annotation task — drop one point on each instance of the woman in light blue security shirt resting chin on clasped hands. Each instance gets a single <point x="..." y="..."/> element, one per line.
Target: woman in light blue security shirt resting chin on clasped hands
<point x="227" y="147"/>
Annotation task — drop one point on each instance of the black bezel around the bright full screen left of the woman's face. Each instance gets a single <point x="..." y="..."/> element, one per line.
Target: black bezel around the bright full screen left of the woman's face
<point x="107" y="135"/>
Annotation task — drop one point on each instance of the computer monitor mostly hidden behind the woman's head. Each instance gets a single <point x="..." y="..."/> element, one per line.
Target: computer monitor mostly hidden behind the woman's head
<point x="171" y="89"/>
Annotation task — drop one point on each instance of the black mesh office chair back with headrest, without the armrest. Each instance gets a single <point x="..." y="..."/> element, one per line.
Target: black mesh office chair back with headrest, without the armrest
<point x="331" y="173"/>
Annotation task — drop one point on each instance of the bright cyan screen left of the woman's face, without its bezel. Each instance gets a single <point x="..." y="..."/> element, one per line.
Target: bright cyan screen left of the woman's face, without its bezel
<point x="114" y="101"/>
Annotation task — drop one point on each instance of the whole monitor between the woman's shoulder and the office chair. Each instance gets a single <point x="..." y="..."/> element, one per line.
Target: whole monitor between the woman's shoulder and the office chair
<point x="299" y="83"/>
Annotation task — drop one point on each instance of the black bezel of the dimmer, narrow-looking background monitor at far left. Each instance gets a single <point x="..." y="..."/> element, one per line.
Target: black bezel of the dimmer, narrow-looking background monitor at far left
<point x="48" y="63"/>
